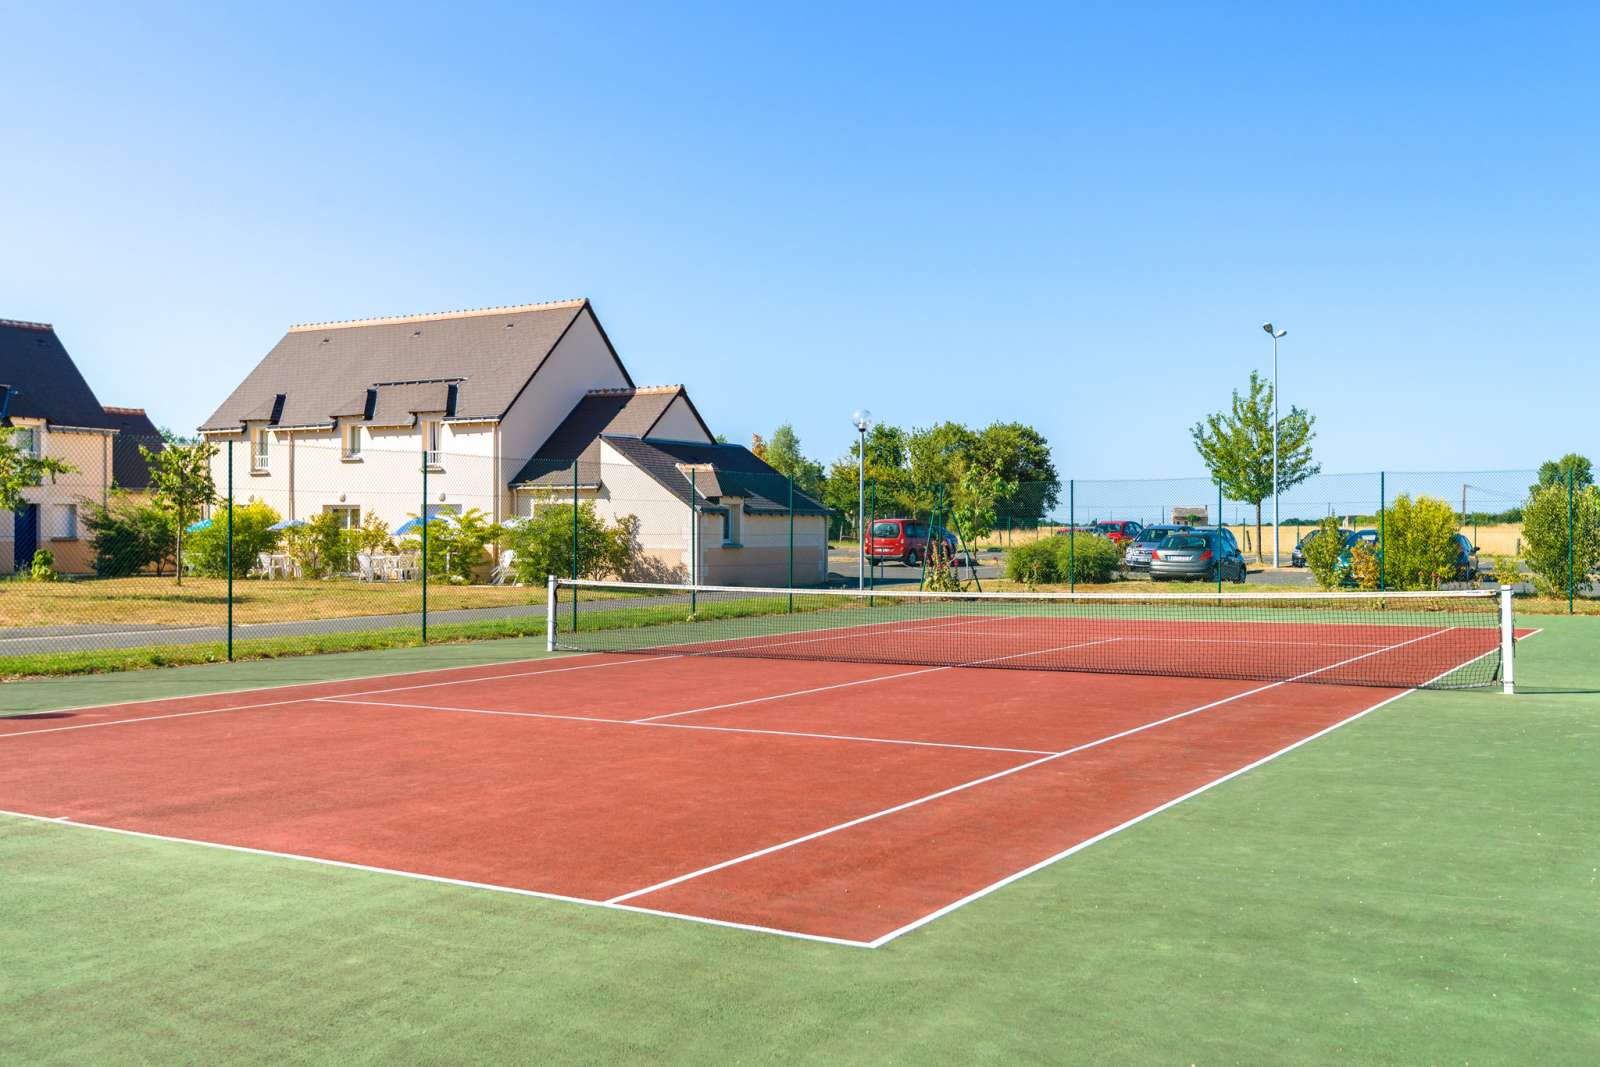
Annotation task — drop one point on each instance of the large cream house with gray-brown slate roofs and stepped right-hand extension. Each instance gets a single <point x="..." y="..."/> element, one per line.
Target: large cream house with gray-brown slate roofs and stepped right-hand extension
<point x="505" y="409"/>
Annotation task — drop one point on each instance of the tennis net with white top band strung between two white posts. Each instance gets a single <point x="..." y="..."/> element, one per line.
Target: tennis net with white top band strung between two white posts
<point x="1455" y="639"/>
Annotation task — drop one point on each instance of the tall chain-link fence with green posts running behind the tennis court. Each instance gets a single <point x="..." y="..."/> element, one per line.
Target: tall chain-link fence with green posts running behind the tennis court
<point x="308" y="545"/>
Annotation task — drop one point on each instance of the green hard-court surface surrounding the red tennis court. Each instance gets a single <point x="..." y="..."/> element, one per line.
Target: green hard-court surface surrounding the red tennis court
<point x="1417" y="887"/>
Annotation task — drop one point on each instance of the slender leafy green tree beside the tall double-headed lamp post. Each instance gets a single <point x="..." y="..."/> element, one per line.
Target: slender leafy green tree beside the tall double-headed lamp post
<point x="1238" y="447"/>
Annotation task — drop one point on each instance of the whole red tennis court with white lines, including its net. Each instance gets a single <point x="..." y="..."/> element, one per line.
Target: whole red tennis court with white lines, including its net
<point x="847" y="769"/>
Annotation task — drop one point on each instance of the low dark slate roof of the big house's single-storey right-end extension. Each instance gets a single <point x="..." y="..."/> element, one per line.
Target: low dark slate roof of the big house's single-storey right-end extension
<point x="735" y="473"/>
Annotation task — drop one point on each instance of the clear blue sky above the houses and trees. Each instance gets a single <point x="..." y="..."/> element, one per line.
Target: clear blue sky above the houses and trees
<point x="1070" y="217"/>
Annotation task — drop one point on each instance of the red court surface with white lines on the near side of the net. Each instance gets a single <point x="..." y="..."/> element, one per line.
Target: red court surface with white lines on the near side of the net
<point x="842" y="802"/>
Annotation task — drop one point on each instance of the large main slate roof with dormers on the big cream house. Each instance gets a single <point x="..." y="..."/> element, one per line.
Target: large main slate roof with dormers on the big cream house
<point x="391" y="369"/>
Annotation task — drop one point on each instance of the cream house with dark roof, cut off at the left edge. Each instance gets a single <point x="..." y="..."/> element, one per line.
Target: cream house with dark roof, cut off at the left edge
<point x="49" y="409"/>
